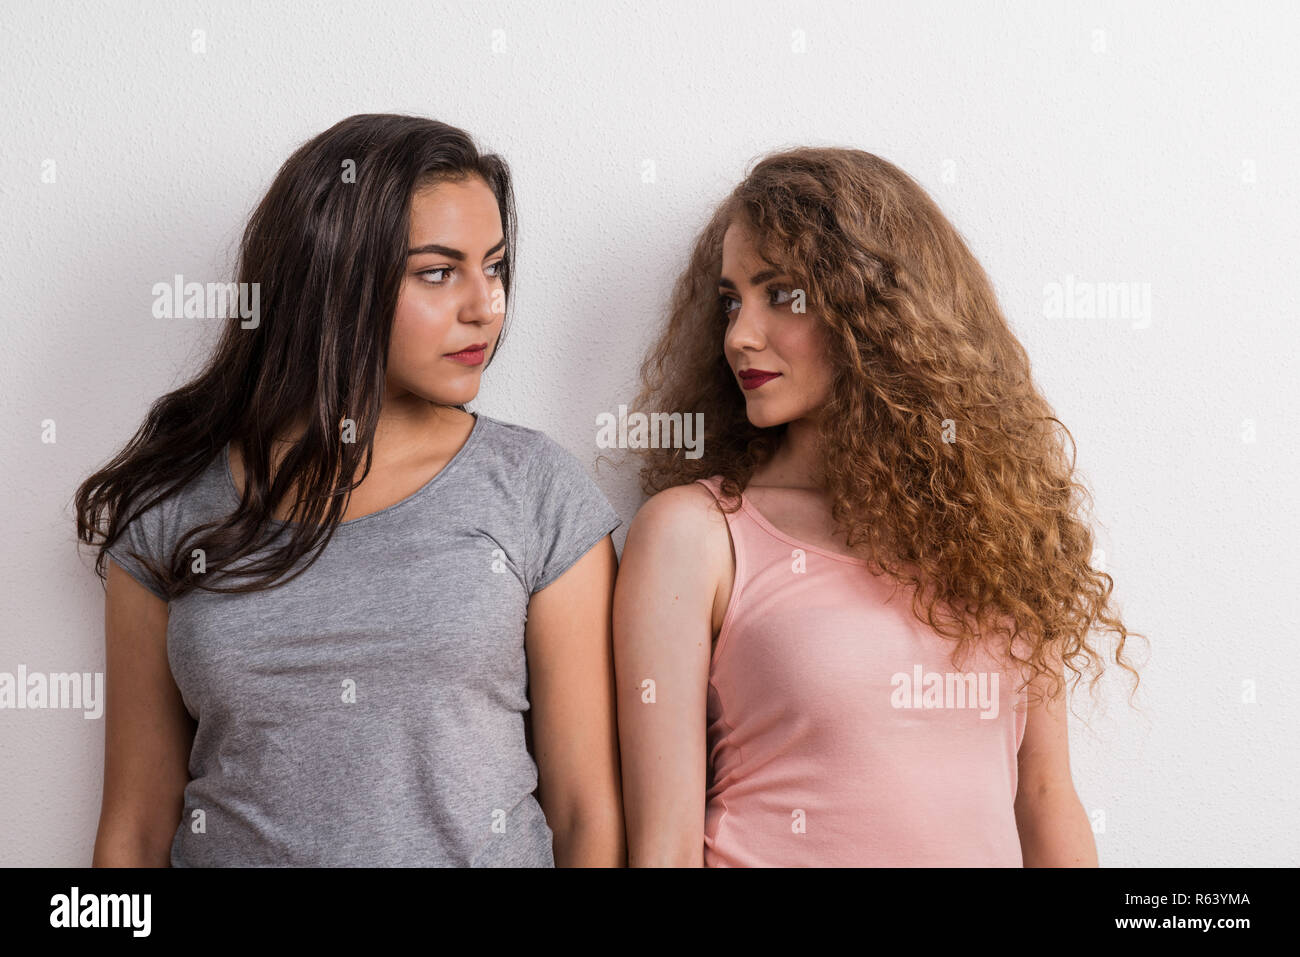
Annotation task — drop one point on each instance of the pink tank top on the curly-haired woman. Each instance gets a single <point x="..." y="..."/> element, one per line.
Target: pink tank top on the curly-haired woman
<point x="839" y="733"/>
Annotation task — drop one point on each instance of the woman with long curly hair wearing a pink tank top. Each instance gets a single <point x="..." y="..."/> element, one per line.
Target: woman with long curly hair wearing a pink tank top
<point x="840" y="633"/>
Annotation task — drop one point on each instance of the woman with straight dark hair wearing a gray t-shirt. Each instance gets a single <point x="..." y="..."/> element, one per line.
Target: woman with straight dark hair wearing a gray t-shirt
<point x="336" y="597"/>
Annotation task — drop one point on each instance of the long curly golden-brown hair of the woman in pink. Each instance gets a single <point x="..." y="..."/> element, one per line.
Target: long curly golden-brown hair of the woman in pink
<point x="943" y="462"/>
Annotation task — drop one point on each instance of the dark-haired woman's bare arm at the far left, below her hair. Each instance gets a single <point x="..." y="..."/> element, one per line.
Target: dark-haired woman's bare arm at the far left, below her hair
<point x="148" y="733"/>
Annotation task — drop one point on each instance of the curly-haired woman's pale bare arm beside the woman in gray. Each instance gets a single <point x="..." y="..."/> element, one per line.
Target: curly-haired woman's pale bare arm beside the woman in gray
<point x="662" y="644"/>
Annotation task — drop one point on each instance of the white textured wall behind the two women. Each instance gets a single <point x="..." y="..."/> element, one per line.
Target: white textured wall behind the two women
<point x="1155" y="146"/>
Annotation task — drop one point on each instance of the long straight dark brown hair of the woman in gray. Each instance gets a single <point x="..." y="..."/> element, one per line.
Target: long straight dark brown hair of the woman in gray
<point x="328" y="249"/>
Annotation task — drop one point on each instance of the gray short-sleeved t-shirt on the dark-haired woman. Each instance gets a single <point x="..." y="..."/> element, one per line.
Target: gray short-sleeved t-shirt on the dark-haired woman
<point x="371" y="712"/>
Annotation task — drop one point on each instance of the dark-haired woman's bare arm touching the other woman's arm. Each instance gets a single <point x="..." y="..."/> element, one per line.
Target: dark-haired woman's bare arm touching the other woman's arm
<point x="574" y="726"/>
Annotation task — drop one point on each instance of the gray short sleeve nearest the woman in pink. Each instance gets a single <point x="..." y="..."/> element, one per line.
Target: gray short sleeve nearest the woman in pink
<point x="570" y="514"/>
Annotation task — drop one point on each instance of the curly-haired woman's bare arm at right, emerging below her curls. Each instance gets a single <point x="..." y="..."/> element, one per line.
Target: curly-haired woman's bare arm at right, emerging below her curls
<point x="1055" y="830"/>
